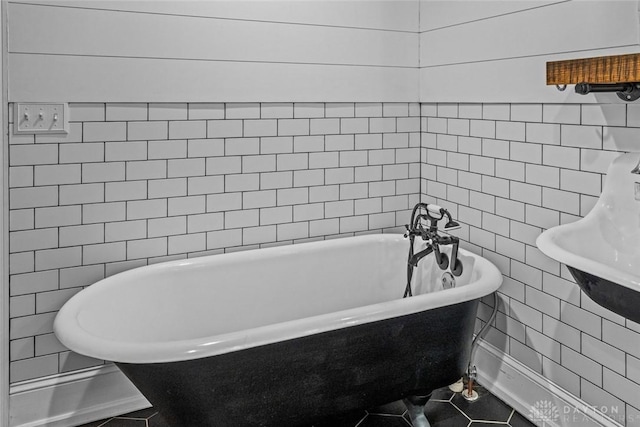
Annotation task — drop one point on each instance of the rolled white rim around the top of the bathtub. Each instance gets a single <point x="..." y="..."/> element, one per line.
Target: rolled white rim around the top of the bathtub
<point x="79" y="340"/>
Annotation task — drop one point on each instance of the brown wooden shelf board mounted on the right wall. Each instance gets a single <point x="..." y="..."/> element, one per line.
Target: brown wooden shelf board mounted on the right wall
<point x="603" y="69"/>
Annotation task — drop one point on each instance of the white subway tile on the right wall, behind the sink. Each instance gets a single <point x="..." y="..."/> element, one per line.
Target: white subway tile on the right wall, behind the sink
<point x="520" y="169"/>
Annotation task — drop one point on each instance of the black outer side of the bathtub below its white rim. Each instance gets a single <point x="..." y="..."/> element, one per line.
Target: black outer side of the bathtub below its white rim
<point x="297" y="382"/>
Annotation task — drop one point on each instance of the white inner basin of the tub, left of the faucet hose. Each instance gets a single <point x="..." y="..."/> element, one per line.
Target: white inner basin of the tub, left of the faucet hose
<point x="234" y="292"/>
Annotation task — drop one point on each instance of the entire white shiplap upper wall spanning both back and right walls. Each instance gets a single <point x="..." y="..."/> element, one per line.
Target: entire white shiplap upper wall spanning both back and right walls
<point x="307" y="50"/>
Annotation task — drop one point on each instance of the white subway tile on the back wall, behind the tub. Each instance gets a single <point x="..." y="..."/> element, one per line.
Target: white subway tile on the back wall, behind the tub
<point x="137" y="184"/>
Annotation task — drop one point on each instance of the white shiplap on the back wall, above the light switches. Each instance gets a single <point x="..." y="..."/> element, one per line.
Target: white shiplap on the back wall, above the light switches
<point x="213" y="50"/>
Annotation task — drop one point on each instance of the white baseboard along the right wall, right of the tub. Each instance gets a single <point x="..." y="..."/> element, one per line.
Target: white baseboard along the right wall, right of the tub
<point x="522" y="388"/>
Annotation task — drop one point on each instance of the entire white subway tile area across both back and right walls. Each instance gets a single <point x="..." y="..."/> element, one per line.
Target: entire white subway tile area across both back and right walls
<point x="137" y="184"/>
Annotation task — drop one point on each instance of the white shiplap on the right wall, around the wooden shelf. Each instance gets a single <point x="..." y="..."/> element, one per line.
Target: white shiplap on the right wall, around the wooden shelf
<point x="496" y="51"/>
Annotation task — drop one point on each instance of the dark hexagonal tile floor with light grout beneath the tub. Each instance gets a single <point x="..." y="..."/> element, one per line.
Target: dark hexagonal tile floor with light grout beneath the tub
<point x="444" y="409"/>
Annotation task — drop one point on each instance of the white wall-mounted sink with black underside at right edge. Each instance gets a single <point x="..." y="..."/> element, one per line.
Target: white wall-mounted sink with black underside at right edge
<point x="602" y="250"/>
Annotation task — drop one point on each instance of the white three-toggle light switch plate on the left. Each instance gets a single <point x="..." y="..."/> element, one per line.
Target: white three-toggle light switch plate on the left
<point x="41" y="118"/>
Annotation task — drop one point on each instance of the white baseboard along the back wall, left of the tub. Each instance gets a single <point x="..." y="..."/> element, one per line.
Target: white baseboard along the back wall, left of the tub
<point x="73" y="399"/>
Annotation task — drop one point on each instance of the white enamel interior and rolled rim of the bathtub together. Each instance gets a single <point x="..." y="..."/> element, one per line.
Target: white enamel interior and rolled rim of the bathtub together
<point x="220" y="303"/>
